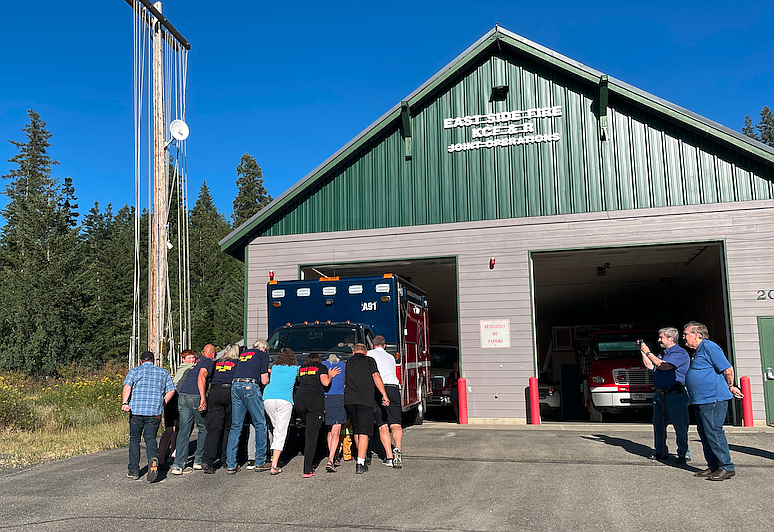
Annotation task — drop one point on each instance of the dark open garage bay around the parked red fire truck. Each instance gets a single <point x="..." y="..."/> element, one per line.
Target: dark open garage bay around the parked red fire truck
<point x="641" y="288"/>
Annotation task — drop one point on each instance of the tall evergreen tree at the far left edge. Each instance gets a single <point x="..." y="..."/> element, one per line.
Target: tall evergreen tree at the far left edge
<point x="40" y="319"/>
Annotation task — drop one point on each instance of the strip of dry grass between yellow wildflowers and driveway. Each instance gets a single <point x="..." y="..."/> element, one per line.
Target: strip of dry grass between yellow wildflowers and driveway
<point x="19" y="448"/>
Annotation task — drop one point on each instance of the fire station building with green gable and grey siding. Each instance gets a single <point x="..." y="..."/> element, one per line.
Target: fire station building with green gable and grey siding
<point x="536" y="200"/>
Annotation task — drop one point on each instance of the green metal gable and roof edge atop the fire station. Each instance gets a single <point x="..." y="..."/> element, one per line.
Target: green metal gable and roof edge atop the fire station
<point x="398" y="172"/>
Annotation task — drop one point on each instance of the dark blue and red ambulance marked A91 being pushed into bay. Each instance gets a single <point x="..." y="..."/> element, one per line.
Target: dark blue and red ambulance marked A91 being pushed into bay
<point x="331" y="314"/>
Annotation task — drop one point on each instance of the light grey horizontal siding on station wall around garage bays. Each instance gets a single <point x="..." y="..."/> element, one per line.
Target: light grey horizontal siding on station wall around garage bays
<point x="747" y="229"/>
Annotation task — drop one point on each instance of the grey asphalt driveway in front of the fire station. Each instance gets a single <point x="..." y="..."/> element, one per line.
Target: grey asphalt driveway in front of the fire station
<point x="474" y="478"/>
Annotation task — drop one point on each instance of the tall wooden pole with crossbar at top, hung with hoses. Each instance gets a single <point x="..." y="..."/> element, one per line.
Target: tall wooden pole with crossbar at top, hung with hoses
<point x="161" y="30"/>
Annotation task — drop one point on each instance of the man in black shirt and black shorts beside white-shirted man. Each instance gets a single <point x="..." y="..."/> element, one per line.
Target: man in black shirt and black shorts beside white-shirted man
<point x="361" y="381"/>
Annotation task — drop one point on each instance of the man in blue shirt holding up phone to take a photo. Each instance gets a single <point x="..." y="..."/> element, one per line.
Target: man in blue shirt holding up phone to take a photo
<point x="670" y="403"/>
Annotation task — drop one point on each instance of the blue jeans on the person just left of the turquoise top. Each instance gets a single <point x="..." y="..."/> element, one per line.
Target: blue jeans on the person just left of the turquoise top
<point x="246" y="397"/>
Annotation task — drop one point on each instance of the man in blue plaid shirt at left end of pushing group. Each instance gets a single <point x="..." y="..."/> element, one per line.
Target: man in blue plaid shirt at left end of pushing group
<point x="147" y="389"/>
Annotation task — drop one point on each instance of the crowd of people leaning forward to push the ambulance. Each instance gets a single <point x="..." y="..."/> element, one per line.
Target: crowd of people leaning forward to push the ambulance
<point x="241" y="382"/>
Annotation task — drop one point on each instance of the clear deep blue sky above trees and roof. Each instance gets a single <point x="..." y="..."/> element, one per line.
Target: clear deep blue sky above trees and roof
<point x="292" y="82"/>
